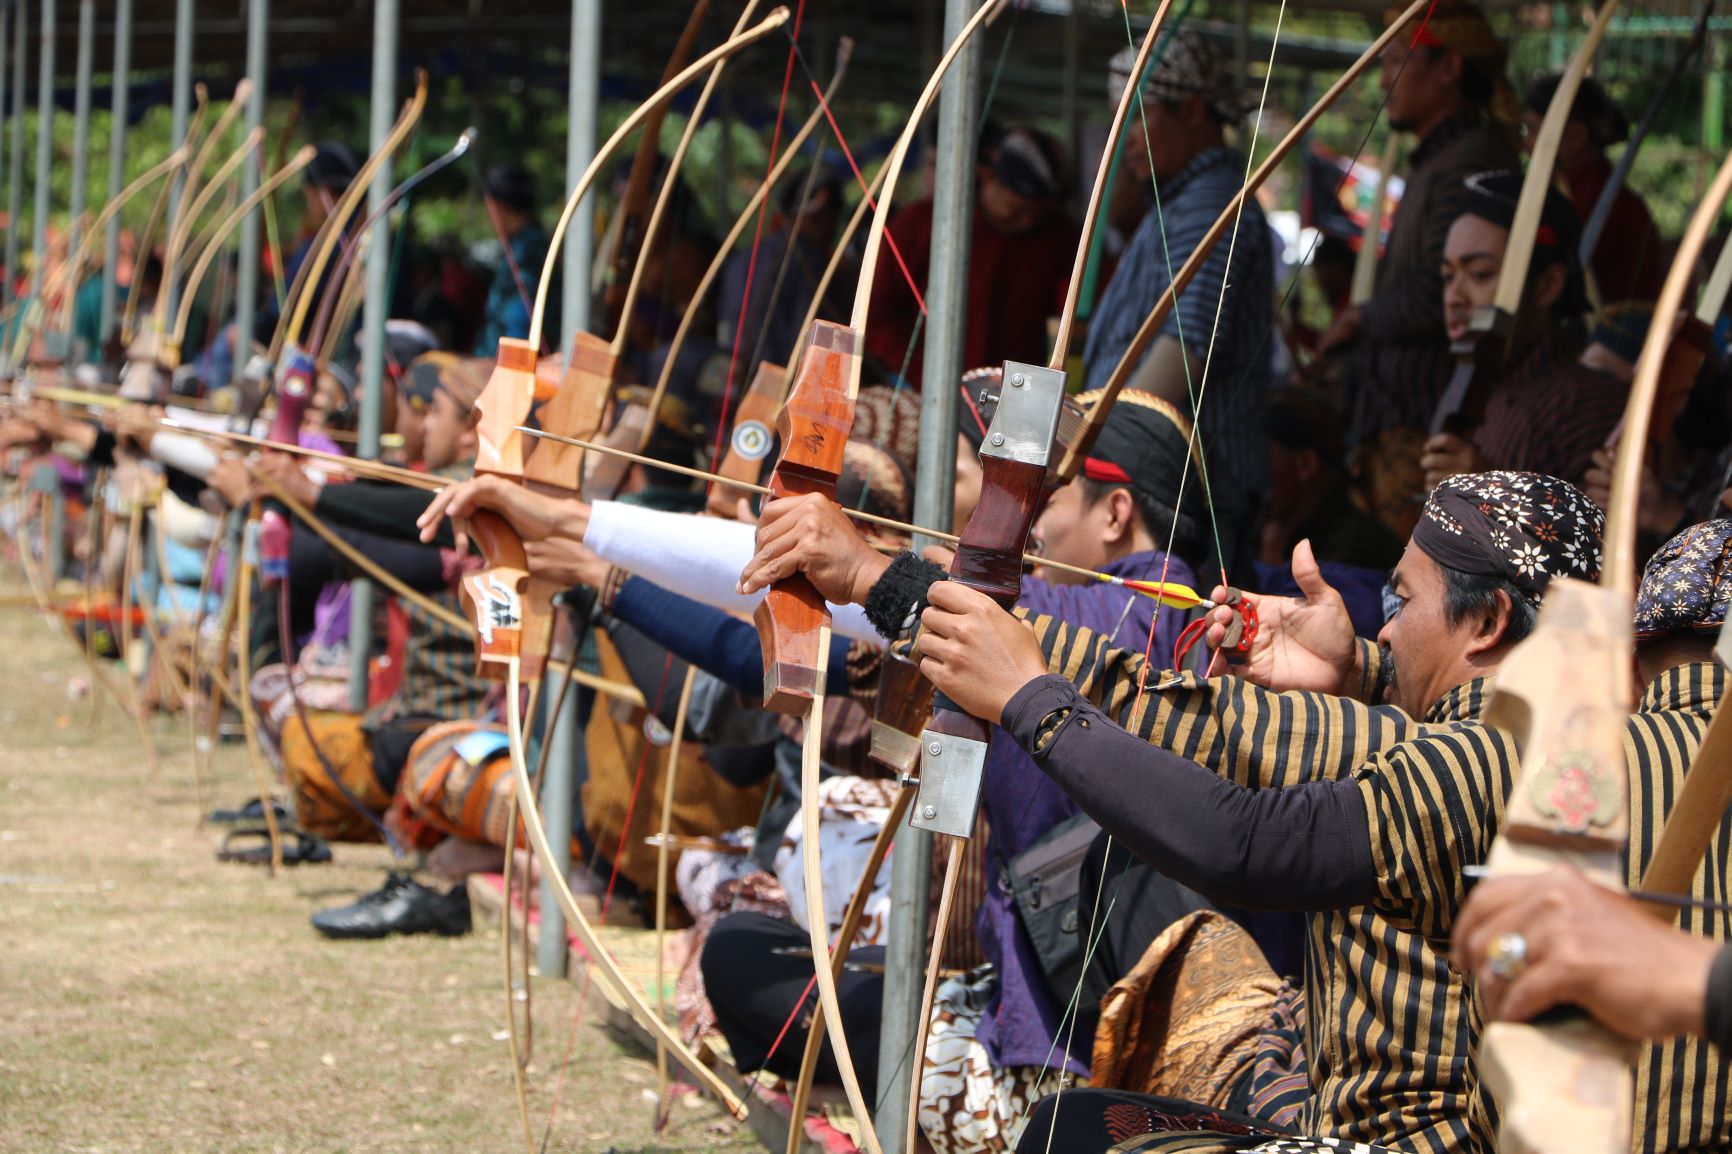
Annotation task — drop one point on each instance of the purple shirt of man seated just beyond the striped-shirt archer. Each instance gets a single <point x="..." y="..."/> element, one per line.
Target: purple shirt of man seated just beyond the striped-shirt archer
<point x="1023" y="803"/>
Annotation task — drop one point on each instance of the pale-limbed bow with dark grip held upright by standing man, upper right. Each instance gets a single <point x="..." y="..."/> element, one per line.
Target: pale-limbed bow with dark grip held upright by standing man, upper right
<point x="1482" y="351"/>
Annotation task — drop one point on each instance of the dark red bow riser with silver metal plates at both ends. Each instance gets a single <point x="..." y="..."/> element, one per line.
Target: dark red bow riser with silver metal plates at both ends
<point x="1014" y="460"/>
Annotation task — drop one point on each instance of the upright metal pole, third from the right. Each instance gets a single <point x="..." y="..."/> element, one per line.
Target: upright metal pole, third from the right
<point x="384" y="113"/>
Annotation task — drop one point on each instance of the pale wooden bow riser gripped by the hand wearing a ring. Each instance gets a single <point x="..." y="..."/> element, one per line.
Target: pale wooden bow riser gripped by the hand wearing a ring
<point x="1565" y="1084"/>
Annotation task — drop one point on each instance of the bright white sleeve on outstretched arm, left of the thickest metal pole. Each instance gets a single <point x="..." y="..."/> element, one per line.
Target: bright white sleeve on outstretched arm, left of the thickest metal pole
<point x="695" y="557"/>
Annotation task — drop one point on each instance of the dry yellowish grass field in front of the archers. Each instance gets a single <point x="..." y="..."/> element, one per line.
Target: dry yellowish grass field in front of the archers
<point x="157" y="1001"/>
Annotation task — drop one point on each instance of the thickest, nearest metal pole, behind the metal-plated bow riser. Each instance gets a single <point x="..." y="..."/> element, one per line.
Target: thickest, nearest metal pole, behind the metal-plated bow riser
<point x="934" y="496"/>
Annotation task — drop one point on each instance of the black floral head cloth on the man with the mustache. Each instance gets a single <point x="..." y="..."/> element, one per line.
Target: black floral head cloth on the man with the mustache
<point x="1527" y="528"/>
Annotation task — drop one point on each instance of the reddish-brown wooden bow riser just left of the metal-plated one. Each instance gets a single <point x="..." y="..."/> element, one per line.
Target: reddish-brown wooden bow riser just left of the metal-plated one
<point x="815" y="431"/>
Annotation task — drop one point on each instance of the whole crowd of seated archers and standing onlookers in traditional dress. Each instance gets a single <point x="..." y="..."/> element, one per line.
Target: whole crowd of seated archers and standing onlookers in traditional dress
<point x="1263" y="923"/>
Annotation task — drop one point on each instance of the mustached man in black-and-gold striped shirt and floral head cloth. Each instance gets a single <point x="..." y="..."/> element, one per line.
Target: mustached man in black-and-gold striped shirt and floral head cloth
<point x="1360" y="815"/>
